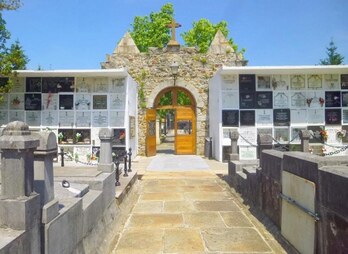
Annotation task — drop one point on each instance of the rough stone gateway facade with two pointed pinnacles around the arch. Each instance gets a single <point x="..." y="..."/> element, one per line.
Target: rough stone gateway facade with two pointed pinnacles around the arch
<point x="152" y="71"/>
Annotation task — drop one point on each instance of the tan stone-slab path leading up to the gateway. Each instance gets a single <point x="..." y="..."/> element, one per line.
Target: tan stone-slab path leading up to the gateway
<point x="190" y="212"/>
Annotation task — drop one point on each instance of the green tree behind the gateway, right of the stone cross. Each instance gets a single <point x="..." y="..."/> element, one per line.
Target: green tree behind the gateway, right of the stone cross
<point x="203" y="32"/>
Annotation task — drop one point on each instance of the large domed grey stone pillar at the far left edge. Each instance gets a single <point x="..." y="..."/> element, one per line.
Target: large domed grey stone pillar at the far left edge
<point x="17" y="161"/>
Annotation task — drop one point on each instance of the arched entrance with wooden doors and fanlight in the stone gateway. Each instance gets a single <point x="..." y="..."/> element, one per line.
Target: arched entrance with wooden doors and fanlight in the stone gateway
<point x="175" y="110"/>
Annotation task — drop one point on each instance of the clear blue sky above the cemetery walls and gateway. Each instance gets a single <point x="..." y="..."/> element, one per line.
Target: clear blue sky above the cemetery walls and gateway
<point x="77" y="34"/>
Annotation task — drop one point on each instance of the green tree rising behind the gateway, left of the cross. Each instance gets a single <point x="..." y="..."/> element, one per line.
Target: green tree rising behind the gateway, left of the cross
<point x="153" y="30"/>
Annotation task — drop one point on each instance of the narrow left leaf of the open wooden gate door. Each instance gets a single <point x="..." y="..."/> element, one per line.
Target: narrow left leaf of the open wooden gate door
<point x="150" y="132"/>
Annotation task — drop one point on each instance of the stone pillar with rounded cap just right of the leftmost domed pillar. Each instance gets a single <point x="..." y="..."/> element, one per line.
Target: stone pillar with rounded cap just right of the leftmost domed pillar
<point x="43" y="166"/>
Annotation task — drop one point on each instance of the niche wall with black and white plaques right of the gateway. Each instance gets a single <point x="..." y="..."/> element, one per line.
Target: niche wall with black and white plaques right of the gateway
<point x="281" y="106"/>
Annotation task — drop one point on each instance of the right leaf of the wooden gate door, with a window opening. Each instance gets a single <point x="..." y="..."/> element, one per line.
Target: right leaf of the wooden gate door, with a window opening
<point x="185" y="131"/>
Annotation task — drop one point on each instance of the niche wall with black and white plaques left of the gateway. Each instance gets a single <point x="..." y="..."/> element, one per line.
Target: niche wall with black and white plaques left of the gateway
<point x="74" y="108"/>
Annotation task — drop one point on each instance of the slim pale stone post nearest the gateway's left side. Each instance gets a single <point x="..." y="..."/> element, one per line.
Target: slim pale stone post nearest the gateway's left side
<point x="105" y="159"/>
